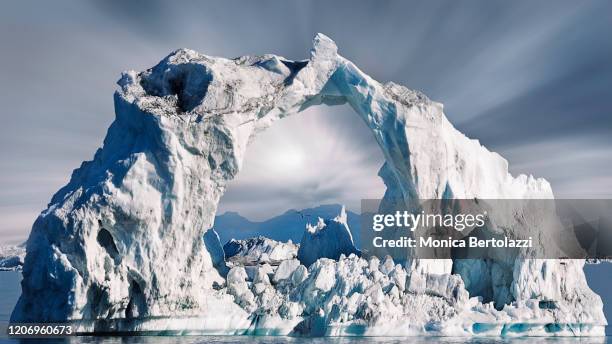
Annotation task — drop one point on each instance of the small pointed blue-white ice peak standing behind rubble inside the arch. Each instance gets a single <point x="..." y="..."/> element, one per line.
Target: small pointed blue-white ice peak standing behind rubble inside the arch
<point x="329" y="238"/>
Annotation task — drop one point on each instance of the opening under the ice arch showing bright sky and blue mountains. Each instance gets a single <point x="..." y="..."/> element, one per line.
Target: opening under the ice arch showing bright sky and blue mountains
<point x="305" y="166"/>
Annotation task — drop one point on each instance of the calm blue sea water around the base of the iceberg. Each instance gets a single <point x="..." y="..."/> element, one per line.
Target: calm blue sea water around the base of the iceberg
<point x="599" y="276"/>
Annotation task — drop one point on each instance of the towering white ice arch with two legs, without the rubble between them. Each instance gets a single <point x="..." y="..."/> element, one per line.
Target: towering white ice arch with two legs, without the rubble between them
<point x="123" y="239"/>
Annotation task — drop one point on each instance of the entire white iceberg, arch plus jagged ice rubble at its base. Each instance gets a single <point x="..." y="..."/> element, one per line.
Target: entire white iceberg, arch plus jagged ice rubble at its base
<point x="121" y="247"/>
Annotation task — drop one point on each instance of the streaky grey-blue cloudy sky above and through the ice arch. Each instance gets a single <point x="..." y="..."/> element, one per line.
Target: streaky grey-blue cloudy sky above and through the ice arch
<point x="530" y="80"/>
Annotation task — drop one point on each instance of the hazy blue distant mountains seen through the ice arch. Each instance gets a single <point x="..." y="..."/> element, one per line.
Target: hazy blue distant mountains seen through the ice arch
<point x="287" y="226"/>
